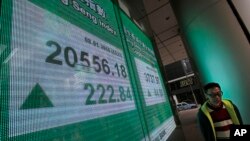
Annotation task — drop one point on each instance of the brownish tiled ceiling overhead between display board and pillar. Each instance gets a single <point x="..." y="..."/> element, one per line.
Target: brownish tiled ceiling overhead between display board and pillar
<point x="158" y="18"/>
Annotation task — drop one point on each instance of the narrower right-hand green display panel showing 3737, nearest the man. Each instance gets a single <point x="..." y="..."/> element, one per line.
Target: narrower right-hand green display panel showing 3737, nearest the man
<point x="156" y="106"/>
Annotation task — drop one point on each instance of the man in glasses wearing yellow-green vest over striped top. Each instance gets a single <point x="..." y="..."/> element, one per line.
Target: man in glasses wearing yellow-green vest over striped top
<point x="216" y="115"/>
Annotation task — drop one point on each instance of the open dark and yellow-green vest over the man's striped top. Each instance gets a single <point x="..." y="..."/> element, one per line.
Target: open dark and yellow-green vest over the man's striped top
<point x="205" y="121"/>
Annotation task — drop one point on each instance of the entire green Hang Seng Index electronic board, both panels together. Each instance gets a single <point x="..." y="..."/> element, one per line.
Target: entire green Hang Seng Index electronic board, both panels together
<point x="66" y="75"/>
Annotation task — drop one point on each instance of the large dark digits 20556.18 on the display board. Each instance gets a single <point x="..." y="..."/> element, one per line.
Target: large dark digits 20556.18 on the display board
<point x="99" y="64"/>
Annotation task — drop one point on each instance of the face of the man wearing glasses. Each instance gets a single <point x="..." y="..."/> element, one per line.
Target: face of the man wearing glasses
<point x="214" y="95"/>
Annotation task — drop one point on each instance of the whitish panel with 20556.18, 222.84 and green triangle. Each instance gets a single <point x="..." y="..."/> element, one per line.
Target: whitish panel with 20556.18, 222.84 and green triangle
<point x="88" y="73"/>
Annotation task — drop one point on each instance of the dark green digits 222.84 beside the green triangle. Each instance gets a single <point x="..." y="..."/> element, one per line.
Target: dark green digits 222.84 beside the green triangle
<point x="124" y="94"/>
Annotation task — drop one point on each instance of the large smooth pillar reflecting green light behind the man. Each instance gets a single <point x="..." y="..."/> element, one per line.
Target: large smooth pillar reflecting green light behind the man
<point x="218" y="46"/>
